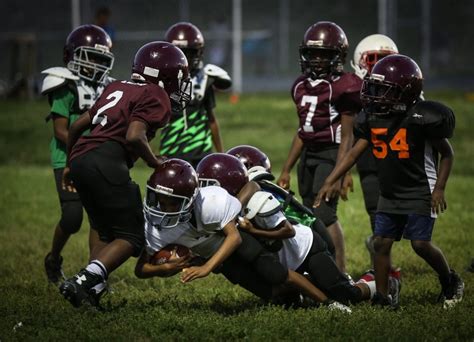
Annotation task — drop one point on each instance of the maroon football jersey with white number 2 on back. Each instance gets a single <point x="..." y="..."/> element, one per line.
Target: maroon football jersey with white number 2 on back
<point x="121" y="103"/>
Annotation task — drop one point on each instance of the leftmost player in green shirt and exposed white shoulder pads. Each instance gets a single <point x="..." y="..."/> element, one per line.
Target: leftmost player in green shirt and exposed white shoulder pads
<point x="71" y="91"/>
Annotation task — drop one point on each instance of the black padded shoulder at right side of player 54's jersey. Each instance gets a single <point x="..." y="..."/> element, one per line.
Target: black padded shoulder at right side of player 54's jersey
<point x="438" y="120"/>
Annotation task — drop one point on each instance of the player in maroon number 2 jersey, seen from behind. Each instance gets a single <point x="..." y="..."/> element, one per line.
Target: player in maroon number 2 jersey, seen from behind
<point x="121" y="123"/>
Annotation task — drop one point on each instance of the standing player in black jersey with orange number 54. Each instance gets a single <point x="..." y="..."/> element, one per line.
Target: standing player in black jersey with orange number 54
<point x="405" y="135"/>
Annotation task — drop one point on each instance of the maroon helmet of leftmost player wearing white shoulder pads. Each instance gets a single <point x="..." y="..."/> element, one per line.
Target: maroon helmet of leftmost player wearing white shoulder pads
<point x="87" y="53"/>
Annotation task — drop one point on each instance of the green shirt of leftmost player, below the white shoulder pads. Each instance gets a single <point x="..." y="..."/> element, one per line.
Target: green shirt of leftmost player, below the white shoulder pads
<point x="63" y="104"/>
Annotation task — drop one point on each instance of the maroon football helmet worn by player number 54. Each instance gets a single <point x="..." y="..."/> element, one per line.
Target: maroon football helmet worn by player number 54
<point x="394" y="85"/>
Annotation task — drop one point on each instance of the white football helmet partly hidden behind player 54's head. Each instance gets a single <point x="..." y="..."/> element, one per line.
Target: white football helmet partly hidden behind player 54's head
<point x="369" y="50"/>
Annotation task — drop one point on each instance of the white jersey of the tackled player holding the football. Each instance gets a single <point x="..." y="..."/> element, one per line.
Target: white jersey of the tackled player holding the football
<point x="214" y="208"/>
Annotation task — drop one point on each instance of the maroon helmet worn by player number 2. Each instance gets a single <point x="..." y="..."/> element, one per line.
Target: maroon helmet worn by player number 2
<point x="164" y="64"/>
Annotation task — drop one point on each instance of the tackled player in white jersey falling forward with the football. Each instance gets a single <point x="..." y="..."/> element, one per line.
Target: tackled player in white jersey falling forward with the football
<point x="204" y="220"/>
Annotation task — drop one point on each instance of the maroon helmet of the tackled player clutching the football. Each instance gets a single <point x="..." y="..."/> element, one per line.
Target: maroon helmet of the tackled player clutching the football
<point x="170" y="193"/>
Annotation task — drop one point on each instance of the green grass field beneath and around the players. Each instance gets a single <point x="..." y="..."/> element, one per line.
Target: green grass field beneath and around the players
<point x="212" y="308"/>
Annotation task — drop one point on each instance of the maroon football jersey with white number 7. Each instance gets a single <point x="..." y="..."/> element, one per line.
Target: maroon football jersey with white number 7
<point x="320" y="104"/>
